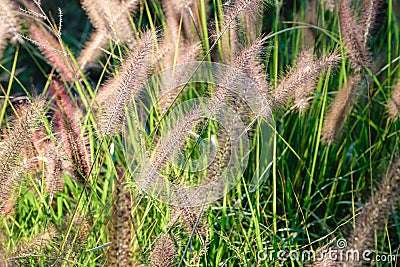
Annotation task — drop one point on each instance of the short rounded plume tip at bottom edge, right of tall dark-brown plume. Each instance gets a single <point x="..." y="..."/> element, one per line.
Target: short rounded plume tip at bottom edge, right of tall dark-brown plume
<point x="164" y="253"/>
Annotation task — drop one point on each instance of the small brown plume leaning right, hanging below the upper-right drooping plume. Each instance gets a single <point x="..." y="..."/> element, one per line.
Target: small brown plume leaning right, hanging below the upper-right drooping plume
<point x="339" y="109"/>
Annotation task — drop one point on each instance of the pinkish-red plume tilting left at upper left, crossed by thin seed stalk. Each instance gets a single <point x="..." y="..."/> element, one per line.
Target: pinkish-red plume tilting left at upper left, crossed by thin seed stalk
<point x="49" y="45"/>
